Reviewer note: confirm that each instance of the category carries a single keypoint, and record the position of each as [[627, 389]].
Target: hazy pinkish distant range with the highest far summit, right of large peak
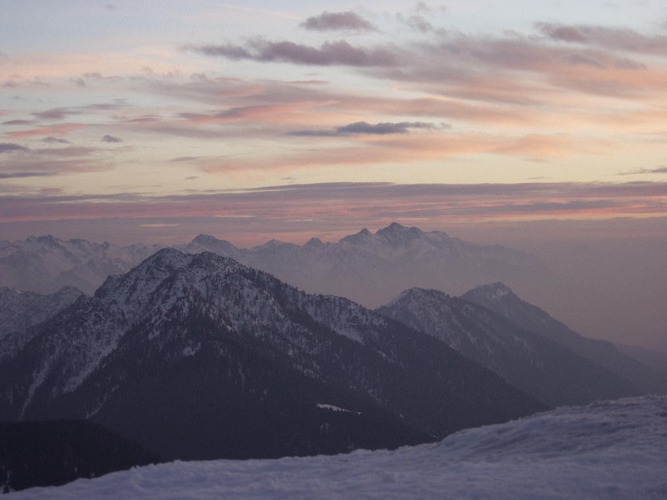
[[373, 268]]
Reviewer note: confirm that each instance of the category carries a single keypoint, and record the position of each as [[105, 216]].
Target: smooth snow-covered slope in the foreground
[[607, 450]]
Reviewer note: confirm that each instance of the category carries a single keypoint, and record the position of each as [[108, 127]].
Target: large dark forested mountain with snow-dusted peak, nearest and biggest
[[198, 356]]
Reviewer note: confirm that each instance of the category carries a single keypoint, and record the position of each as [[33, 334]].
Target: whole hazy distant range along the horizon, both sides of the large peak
[[368, 268]]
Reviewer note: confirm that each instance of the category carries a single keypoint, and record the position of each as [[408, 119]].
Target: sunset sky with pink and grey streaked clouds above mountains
[[541, 125]]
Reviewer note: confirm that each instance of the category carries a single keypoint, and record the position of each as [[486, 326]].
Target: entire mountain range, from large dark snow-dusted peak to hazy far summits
[[199, 352]]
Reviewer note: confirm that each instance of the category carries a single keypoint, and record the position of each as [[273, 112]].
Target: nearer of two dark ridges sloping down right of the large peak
[[542, 368]]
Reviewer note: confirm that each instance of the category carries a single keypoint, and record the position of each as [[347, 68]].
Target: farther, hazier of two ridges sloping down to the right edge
[[501, 299]]
